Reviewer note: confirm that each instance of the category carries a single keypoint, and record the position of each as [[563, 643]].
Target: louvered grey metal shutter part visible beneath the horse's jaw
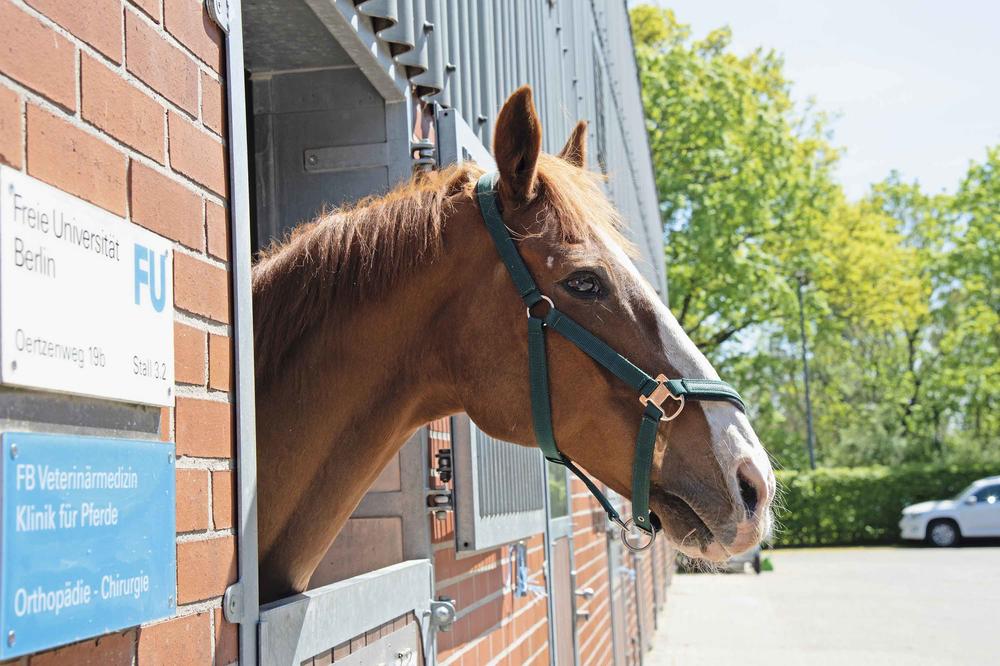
[[499, 489]]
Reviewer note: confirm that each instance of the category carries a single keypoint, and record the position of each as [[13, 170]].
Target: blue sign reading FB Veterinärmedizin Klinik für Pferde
[[88, 538]]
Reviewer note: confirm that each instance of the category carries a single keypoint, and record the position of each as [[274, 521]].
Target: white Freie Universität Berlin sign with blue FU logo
[[86, 298]]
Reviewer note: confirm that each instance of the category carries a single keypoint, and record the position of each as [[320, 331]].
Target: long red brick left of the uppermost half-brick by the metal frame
[[165, 68]]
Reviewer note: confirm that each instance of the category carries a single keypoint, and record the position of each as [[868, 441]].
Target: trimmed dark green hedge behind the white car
[[860, 505]]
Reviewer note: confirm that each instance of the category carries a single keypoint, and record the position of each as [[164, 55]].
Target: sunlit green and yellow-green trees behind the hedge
[[901, 290]]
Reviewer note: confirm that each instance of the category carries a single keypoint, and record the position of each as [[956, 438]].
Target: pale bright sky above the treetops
[[914, 84]]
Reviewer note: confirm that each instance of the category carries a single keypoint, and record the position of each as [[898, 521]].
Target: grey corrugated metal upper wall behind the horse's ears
[[471, 54]]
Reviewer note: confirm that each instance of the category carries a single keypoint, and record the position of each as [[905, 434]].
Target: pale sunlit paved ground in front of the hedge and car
[[845, 606]]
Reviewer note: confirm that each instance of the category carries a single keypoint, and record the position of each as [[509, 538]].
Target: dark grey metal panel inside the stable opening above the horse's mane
[[307, 125]]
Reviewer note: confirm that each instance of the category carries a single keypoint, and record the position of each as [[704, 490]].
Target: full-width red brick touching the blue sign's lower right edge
[[204, 569]]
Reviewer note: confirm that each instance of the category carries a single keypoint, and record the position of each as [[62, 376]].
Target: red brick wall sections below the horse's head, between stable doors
[[496, 627]]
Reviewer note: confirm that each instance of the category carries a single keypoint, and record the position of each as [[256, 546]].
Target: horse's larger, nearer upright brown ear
[[517, 141]]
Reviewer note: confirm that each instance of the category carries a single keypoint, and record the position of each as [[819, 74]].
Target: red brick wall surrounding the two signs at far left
[[121, 103]]
